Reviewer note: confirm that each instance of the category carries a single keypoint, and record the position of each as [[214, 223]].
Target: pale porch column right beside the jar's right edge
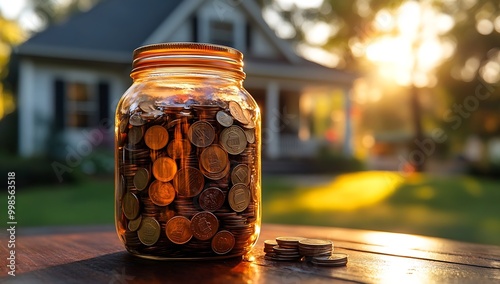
[[271, 129]]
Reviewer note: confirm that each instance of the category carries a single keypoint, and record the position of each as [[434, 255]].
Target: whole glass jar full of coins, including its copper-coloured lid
[[187, 155]]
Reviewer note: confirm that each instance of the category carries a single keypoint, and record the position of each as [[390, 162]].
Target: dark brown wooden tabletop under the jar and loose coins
[[95, 255]]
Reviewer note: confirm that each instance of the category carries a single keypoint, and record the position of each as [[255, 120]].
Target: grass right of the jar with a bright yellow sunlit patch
[[462, 208]]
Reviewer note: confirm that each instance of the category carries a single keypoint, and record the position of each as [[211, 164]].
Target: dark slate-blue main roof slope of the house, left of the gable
[[110, 31]]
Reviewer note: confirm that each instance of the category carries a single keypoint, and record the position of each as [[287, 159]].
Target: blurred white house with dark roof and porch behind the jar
[[72, 75]]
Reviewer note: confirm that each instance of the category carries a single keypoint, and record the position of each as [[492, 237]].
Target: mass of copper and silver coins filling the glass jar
[[188, 179]]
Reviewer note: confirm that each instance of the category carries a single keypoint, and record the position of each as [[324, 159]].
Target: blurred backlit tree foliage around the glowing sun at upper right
[[346, 33]]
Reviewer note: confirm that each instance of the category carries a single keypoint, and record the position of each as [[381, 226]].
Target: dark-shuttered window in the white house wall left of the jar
[[80, 104]]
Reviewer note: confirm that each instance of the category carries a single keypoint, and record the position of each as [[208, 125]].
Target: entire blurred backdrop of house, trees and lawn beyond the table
[[377, 114]]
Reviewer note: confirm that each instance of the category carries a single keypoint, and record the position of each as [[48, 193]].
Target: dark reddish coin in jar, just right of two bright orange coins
[[188, 182]]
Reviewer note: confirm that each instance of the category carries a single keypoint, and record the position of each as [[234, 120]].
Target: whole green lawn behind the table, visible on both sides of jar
[[456, 207]]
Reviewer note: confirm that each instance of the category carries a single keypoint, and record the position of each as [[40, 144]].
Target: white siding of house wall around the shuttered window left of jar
[[36, 101]]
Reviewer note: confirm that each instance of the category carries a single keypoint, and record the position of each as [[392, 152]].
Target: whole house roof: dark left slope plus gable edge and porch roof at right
[[112, 29]]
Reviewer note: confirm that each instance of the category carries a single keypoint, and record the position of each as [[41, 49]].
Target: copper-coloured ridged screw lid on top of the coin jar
[[188, 54]]
